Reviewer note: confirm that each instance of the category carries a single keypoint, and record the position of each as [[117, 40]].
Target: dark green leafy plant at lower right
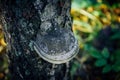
[[103, 57]]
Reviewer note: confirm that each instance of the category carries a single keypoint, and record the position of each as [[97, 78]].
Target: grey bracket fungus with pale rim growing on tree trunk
[[57, 46]]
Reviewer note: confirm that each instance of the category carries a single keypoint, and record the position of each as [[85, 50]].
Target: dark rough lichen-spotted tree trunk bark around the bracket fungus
[[22, 19]]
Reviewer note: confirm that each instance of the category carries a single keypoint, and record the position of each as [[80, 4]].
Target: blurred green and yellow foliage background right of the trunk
[[96, 25]]
